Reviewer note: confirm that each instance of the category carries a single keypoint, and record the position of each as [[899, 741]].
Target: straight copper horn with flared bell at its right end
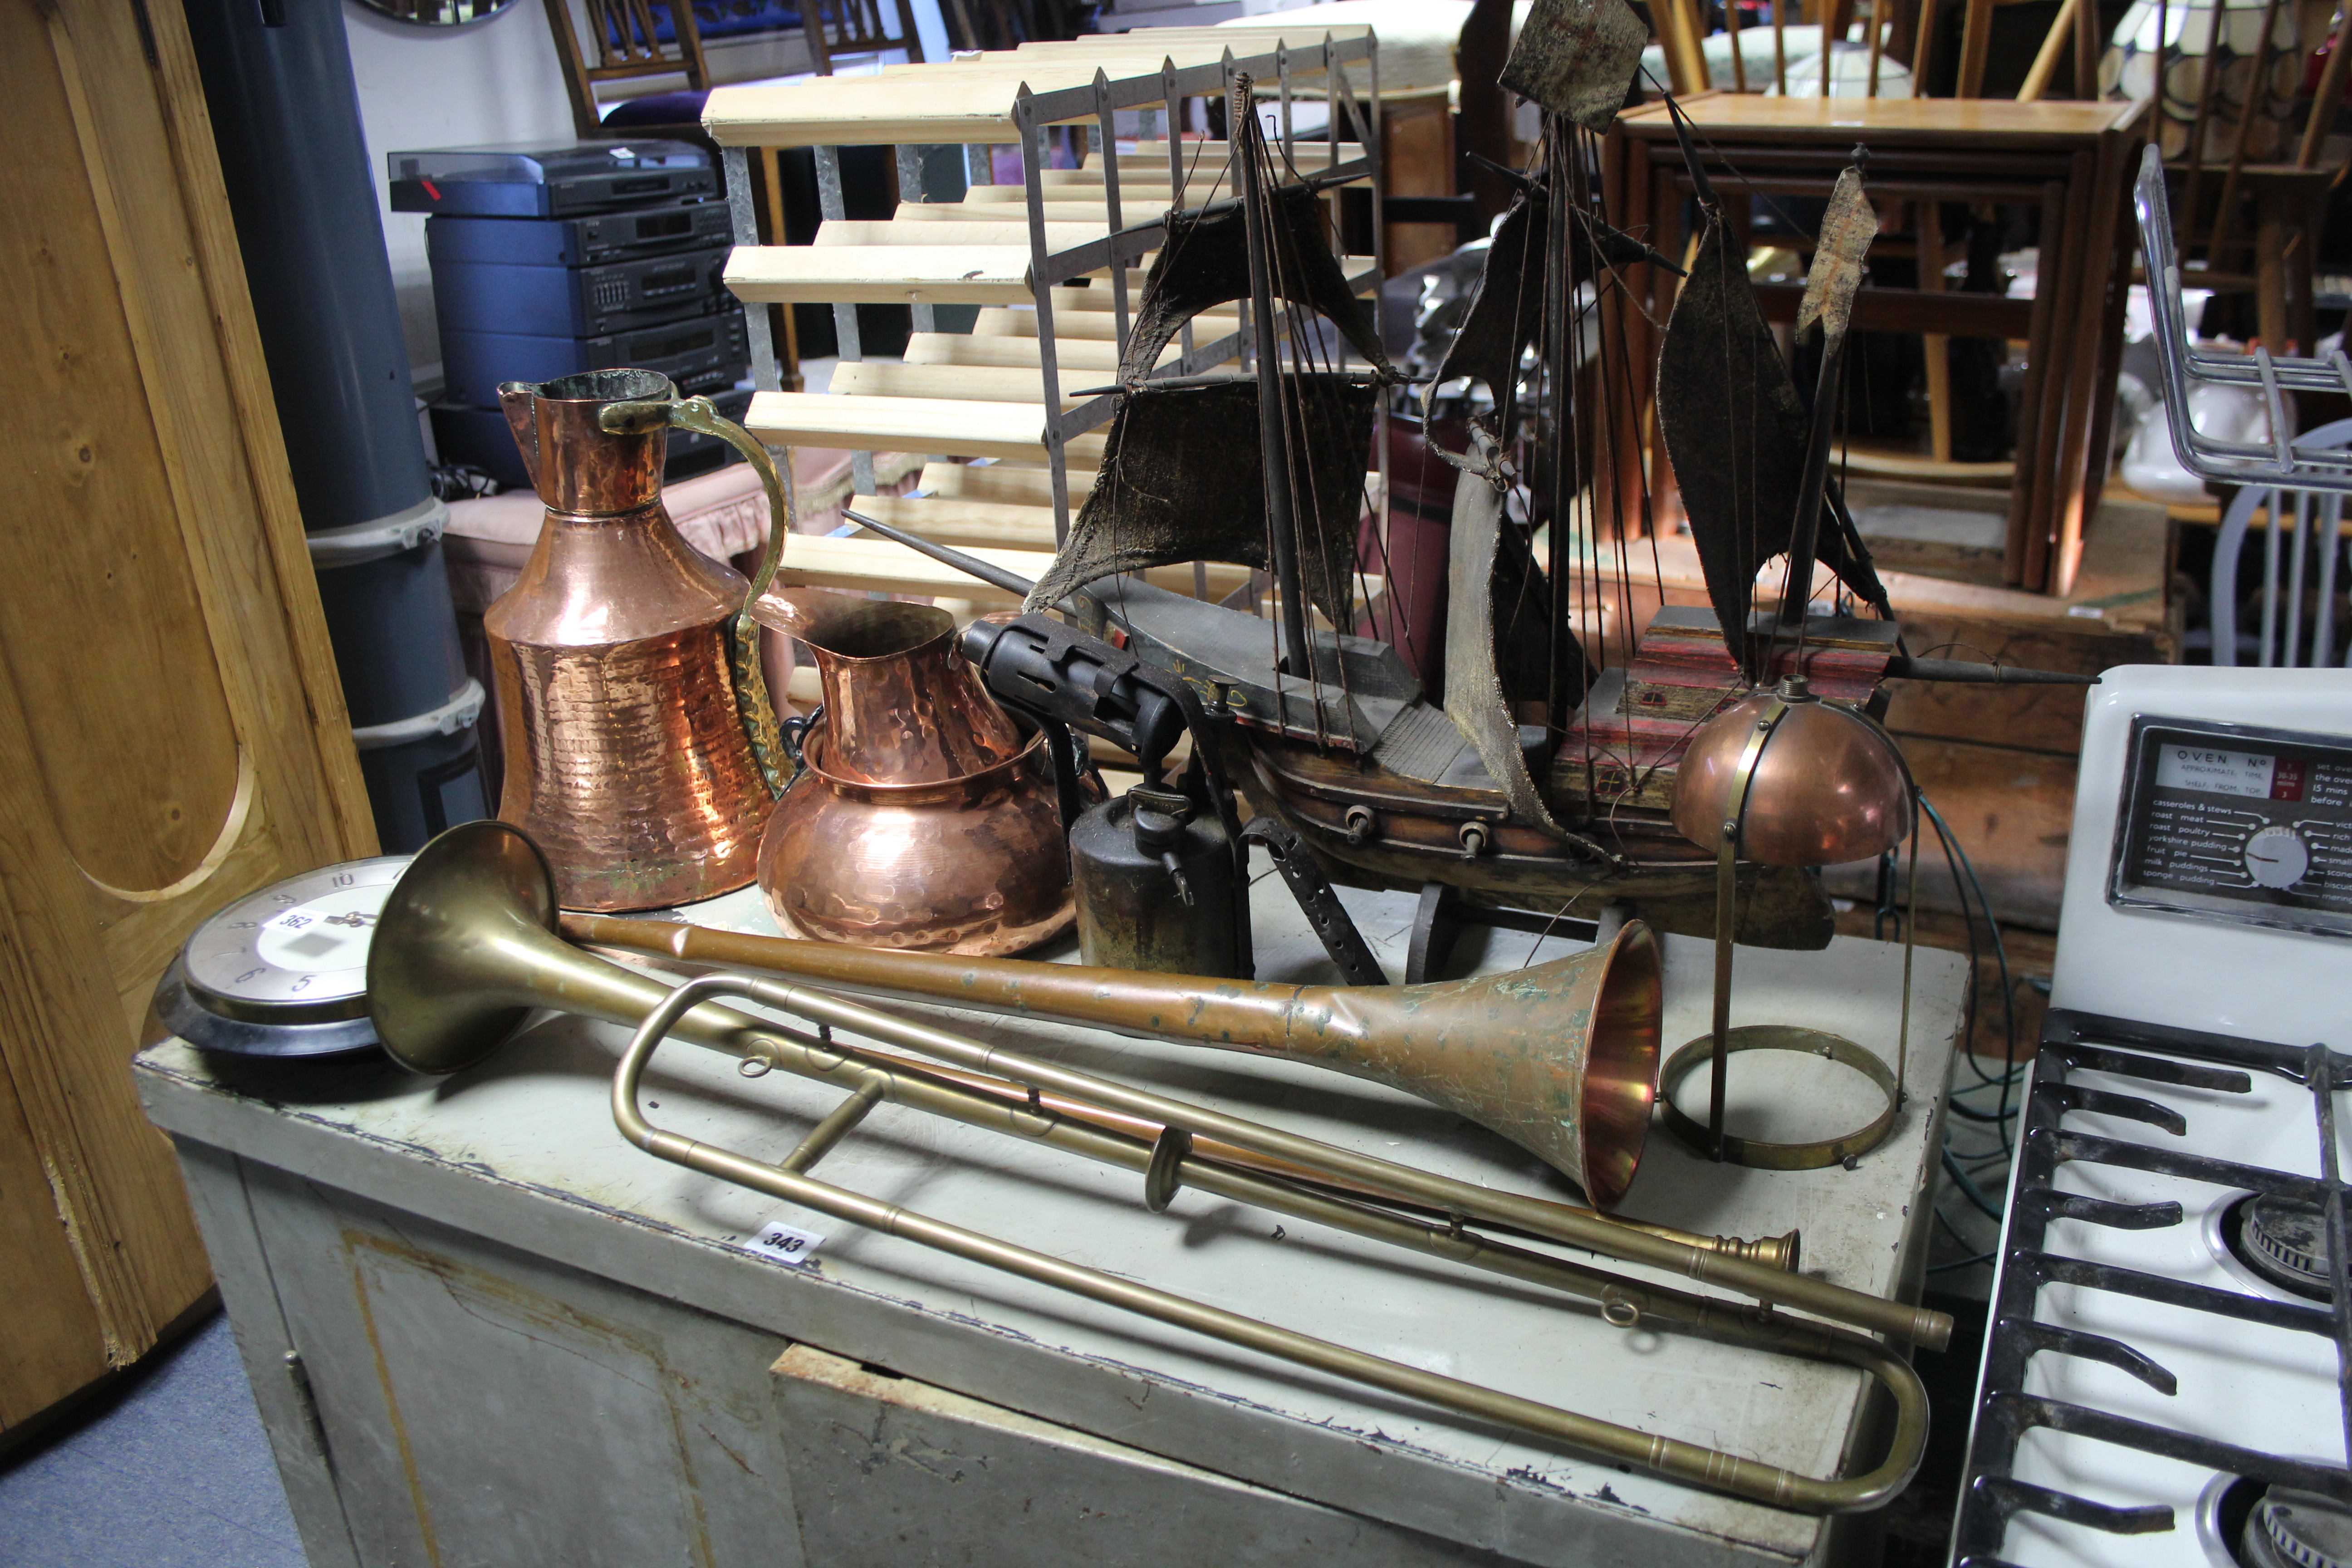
[[1563, 1059]]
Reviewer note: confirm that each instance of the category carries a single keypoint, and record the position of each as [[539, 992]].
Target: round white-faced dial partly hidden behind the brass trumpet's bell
[[283, 972]]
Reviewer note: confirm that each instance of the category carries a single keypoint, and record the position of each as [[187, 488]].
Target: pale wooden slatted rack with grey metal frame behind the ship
[[1055, 264]]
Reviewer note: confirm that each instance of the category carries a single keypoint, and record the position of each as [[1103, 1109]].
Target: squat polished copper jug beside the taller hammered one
[[923, 815]]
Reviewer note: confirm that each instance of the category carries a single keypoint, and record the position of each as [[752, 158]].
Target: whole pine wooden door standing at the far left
[[173, 732]]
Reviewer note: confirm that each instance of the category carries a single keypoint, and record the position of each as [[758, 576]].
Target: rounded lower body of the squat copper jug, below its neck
[[973, 866]]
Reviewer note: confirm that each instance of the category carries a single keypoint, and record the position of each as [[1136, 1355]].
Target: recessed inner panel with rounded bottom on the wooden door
[[79, 542]]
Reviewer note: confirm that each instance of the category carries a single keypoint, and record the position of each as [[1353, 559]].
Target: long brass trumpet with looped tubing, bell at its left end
[[467, 949]]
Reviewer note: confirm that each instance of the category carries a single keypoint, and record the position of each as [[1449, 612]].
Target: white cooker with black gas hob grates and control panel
[[2167, 1358]]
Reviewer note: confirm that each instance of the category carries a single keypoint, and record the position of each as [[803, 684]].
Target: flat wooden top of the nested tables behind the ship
[[1979, 123]]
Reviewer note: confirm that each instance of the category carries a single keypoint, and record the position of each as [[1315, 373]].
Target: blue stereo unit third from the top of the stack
[[580, 302]]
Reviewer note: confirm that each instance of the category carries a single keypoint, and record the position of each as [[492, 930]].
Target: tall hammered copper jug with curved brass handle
[[632, 735]]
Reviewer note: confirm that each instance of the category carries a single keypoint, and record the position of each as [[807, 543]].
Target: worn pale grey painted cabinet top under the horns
[[523, 1148]]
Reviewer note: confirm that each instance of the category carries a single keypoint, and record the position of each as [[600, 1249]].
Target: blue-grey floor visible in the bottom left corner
[[168, 1470]]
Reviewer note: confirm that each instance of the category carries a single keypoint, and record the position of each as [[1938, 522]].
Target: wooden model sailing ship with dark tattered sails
[[1542, 779]]
